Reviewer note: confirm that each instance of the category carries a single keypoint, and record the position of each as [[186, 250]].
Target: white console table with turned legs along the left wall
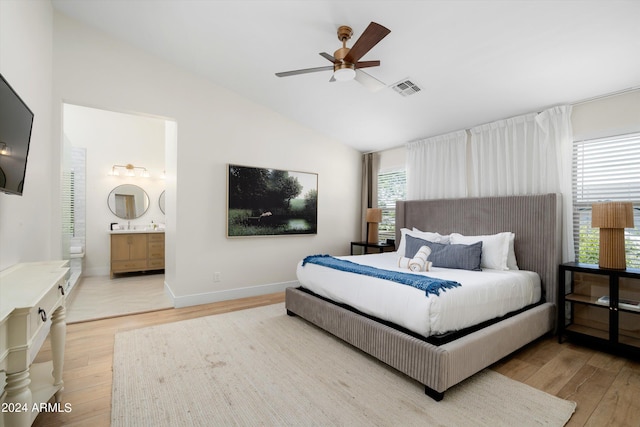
[[31, 307]]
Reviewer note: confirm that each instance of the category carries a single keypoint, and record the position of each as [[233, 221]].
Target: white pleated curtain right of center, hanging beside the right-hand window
[[529, 154]]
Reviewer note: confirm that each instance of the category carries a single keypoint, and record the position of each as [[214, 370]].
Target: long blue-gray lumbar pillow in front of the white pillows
[[464, 257]]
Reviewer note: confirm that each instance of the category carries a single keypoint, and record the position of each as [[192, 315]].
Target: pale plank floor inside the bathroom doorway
[[99, 297]]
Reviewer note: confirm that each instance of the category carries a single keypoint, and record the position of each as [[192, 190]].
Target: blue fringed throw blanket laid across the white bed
[[430, 285]]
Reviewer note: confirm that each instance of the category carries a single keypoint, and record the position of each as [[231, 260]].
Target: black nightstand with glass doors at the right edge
[[600, 307]]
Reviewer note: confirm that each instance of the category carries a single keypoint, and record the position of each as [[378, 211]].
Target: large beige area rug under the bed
[[262, 367]]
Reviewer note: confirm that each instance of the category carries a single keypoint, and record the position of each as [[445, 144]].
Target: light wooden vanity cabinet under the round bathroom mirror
[[136, 252]]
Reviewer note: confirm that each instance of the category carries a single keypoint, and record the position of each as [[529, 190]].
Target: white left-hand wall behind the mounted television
[[26, 222]]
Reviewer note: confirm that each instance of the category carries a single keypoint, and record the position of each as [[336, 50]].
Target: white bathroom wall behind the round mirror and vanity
[[112, 138]]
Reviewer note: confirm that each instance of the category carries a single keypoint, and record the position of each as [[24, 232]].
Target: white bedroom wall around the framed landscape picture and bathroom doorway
[[214, 127]]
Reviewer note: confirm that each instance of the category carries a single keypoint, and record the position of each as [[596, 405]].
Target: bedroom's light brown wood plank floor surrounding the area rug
[[605, 387]]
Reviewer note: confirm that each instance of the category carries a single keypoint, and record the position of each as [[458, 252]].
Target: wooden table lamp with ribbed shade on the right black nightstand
[[612, 218]]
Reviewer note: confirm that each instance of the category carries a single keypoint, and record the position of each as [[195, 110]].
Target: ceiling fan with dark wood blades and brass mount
[[346, 65]]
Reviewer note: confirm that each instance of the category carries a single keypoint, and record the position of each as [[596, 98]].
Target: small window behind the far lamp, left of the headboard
[[392, 186]]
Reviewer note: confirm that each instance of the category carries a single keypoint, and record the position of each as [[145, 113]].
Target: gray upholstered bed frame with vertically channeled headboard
[[536, 221]]
